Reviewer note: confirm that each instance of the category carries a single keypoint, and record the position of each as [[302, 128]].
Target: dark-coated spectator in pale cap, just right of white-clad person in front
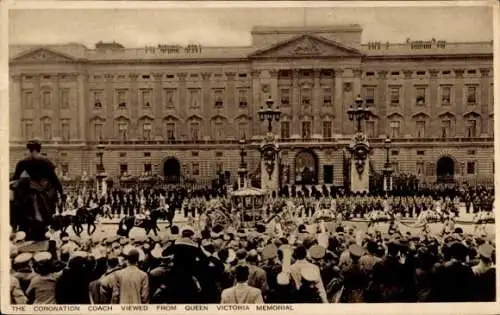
[[355, 277]]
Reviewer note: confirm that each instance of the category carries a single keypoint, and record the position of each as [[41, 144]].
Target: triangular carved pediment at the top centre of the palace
[[307, 46]]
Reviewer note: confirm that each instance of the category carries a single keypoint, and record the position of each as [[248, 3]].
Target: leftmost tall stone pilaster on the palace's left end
[[15, 109]]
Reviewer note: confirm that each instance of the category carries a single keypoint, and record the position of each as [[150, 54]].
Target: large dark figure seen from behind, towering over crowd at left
[[35, 186]]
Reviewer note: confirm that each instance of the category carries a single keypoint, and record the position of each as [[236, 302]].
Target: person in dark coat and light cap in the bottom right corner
[[485, 275]]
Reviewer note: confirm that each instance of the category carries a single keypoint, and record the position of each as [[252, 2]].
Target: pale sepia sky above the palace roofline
[[232, 26]]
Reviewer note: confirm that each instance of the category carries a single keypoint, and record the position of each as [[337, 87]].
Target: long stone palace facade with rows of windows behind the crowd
[[181, 110]]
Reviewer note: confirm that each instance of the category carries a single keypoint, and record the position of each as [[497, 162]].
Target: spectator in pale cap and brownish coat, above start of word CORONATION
[[42, 288]]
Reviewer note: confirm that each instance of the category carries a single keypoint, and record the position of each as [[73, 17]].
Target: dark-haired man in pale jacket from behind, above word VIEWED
[[130, 285]]
